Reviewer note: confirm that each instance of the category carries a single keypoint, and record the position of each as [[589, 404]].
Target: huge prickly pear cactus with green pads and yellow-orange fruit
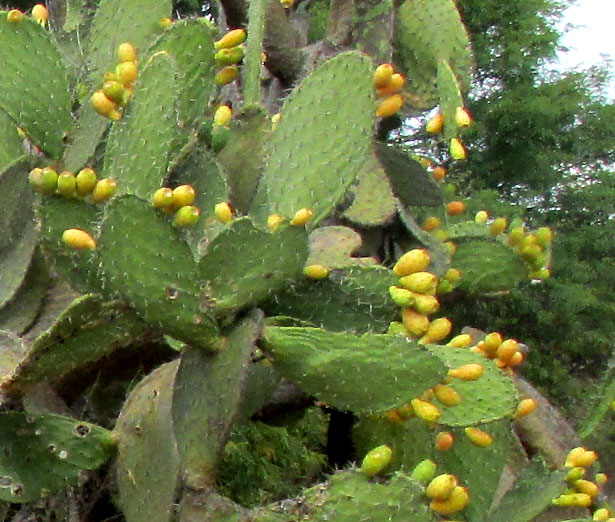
[[183, 218]]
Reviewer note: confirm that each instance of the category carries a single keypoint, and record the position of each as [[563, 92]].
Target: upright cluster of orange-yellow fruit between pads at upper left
[[119, 85]]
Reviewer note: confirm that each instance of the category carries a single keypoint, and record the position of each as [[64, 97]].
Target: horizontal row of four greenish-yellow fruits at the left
[[83, 185]]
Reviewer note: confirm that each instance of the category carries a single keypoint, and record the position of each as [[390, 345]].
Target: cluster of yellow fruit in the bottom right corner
[[582, 492]]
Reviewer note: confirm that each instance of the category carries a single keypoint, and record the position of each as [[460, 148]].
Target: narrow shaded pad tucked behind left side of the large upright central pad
[[243, 156]]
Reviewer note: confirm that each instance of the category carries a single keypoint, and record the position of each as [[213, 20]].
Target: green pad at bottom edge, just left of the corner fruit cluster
[[536, 486]]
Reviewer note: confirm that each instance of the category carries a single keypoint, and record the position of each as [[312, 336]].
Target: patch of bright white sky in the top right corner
[[592, 37]]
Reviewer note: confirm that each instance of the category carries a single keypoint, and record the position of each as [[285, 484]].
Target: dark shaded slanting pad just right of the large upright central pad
[[411, 183]]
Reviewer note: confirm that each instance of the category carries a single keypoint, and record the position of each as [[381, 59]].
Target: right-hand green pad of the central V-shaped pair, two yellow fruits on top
[[243, 264]]
